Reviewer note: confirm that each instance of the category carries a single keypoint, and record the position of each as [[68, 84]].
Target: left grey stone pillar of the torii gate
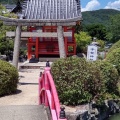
[[17, 46]]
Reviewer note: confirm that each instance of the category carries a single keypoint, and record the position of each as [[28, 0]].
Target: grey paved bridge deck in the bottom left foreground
[[23, 112]]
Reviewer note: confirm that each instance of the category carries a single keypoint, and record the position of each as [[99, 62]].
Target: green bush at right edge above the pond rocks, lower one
[[110, 79]]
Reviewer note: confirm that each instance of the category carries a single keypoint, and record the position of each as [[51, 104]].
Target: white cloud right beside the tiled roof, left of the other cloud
[[92, 5]]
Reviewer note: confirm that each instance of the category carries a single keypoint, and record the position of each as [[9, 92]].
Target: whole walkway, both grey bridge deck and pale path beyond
[[24, 104]]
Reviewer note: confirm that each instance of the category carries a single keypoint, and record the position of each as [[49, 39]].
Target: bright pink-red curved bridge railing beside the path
[[48, 94]]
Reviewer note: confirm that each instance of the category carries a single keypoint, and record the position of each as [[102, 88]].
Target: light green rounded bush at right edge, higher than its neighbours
[[114, 58]]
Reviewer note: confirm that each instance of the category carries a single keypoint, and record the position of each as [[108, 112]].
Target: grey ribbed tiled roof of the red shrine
[[51, 9]]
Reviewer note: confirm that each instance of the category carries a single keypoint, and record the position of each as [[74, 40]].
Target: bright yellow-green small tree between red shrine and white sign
[[82, 39]]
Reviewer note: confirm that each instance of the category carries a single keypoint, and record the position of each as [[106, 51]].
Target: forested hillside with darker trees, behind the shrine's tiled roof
[[103, 24]]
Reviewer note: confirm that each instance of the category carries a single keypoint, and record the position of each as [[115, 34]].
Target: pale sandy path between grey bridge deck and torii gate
[[27, 92]]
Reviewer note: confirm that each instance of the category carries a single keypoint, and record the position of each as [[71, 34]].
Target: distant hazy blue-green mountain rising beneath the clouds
[[101, 16]]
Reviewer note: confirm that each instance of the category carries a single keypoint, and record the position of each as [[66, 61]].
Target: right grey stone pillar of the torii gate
[[61, 42]]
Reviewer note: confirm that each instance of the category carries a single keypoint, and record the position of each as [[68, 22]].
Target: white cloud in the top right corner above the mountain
[[113, 5]]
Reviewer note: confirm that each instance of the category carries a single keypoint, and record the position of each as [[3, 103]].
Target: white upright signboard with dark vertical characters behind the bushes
[[92, 53]]
